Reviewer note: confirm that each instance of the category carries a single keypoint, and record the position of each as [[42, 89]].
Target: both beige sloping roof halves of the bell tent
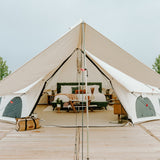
[[52, 57]]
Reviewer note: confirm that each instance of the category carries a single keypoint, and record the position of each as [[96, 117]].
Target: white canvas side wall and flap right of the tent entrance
[[128, 90]]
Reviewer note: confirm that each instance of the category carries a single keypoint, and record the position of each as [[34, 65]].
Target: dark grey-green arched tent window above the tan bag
[[13, 108]]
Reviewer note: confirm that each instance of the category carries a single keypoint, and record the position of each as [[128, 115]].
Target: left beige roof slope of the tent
[[45, 62]]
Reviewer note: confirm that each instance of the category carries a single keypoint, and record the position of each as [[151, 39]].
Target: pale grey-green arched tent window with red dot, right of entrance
[[144, 107]]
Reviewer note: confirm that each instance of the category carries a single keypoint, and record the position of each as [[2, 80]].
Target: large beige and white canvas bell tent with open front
[[135, 84]]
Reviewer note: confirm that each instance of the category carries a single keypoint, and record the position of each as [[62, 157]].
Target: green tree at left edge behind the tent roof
[[4, 72]]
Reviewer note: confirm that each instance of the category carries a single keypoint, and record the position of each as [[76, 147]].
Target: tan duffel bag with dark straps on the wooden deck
[[27, 123]]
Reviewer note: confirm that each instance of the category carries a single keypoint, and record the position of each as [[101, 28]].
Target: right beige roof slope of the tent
[[110, 53]]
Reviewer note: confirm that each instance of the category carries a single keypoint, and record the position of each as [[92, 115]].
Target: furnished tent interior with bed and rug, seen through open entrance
[[66, 86]]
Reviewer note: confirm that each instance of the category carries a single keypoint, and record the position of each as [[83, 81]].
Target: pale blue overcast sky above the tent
[[27, 27]]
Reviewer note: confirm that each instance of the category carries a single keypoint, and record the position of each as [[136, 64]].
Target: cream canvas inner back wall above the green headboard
[[68, 73]]
